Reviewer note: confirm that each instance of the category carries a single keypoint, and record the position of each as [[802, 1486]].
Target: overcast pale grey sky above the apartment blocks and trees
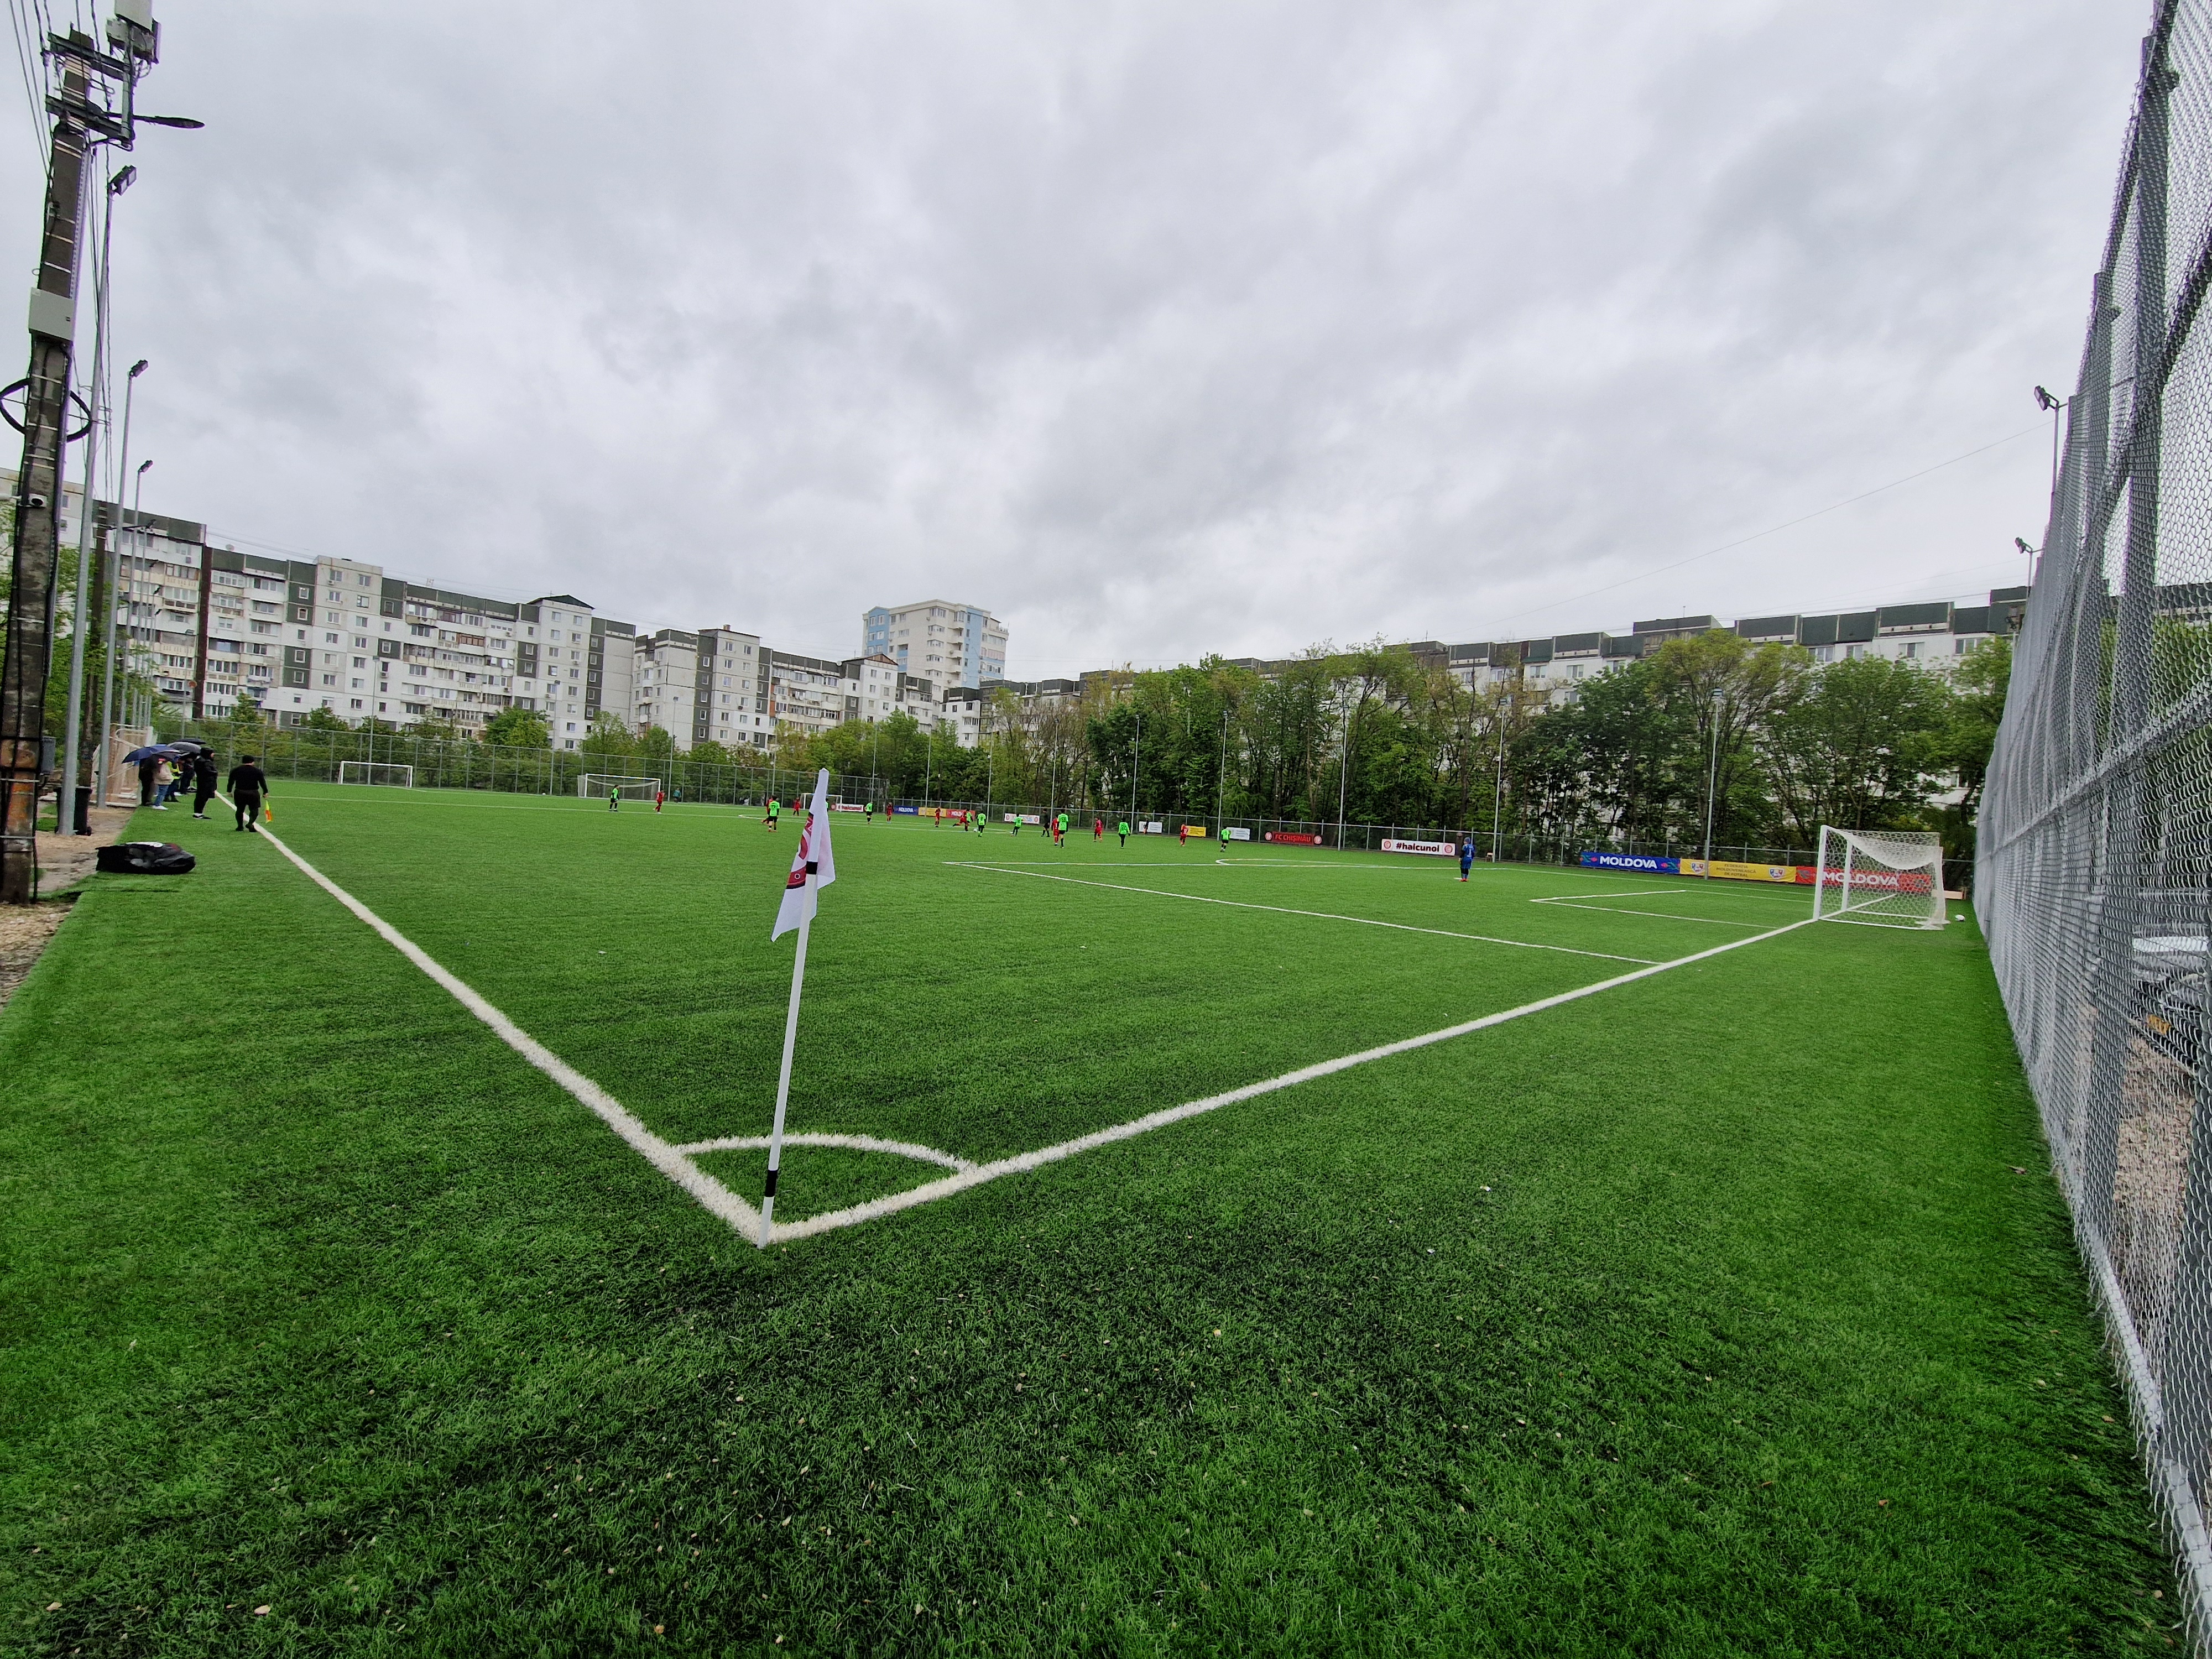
[[1156, 328]]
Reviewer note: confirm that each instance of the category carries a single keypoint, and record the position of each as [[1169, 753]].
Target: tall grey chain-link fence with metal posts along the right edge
[[2096, 833]]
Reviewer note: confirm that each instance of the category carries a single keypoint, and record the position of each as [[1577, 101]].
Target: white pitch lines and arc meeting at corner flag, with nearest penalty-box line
[[676, 1162]]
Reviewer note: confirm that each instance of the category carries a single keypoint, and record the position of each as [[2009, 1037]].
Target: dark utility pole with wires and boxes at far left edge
[[79, 125]]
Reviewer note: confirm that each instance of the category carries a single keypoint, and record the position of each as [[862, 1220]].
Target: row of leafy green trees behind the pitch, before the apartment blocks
[[1762, 735]]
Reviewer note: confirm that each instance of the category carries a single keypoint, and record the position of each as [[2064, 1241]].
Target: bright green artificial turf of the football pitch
[[1700, 1317]]
